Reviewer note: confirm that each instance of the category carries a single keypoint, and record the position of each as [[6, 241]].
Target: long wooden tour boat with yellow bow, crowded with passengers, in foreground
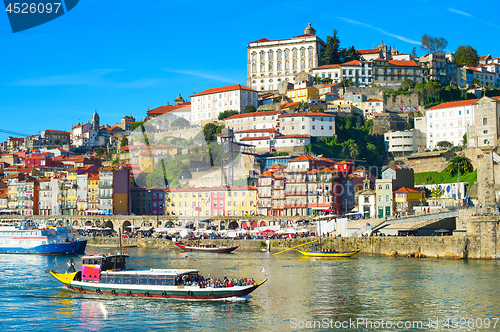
[[107, 274]]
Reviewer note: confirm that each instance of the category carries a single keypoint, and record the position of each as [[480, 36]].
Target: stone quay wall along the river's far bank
[[481, 240]]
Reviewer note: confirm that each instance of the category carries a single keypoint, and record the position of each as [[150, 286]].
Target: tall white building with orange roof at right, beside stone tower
[[449, 122]]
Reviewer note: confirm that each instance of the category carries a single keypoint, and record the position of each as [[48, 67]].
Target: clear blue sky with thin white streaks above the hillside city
[[121, 57]]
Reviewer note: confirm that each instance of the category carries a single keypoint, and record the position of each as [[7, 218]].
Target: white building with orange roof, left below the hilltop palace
[[206, 105]]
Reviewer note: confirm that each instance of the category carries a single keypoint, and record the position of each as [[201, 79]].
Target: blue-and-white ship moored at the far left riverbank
[[19, 237]]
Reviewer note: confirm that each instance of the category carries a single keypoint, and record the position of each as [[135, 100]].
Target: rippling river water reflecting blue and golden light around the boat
[[300, 291]]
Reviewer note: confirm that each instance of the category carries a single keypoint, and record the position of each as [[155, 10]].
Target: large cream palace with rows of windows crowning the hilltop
[[273, 61]]
